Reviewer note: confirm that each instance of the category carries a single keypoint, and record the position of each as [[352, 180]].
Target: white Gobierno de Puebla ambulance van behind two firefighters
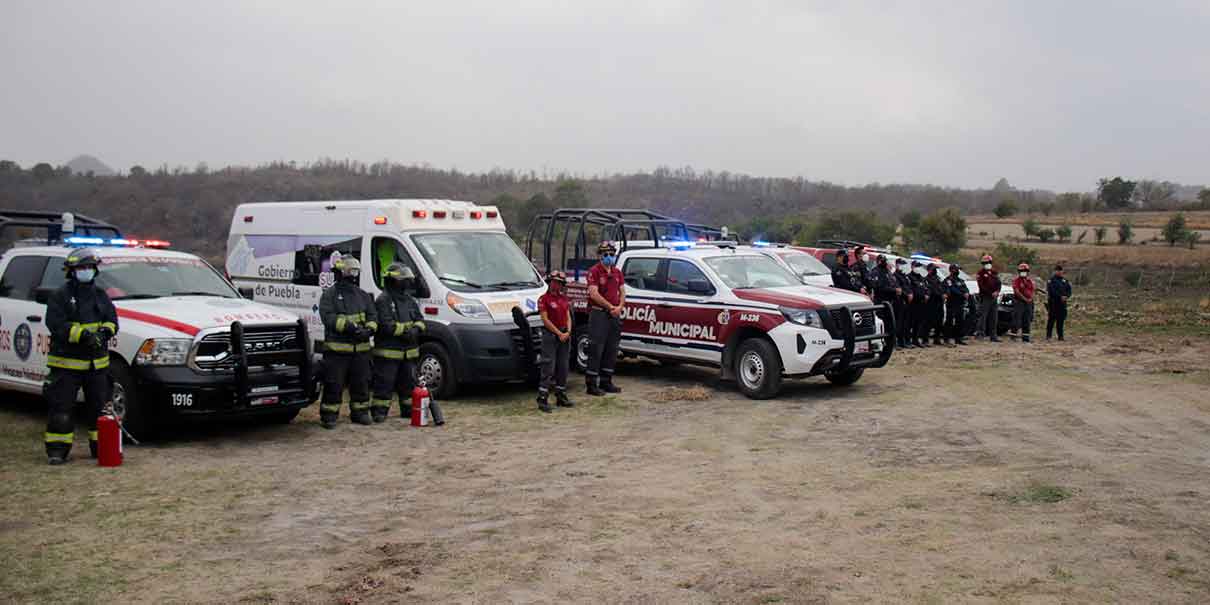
[[470, 275]]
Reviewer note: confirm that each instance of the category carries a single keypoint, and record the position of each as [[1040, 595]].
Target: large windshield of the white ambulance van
[[477, 261]]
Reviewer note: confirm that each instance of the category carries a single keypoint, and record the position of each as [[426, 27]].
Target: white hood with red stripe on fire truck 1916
[[177, 316]]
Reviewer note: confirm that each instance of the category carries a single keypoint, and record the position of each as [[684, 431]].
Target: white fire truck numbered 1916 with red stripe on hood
[[188, 345]]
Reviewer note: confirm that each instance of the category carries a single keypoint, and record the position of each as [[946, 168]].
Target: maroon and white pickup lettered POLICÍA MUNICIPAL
[[721, 306]]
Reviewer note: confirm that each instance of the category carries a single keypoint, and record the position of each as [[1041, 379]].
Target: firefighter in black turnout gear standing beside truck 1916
[[82, 320]]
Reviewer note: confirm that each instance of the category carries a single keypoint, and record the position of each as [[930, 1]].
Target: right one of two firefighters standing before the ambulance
[[397, 344]]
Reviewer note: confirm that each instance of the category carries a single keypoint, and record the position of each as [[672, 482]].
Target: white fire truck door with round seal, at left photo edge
[[25, 341]]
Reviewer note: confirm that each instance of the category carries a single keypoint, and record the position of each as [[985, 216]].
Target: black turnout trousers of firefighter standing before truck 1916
[[60, 390]]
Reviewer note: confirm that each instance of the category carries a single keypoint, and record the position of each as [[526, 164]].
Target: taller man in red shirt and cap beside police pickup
[[607, 298]]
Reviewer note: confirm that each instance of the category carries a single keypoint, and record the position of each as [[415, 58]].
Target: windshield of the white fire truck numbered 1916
[[147, 278]]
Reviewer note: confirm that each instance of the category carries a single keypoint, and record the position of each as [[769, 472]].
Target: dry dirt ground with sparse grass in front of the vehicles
[[1048, 474]]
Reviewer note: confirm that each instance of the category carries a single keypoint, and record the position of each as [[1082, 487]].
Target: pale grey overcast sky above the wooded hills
[[1048, 95]]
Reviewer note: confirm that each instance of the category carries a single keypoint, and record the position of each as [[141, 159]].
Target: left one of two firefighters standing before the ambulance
[[349, 324]]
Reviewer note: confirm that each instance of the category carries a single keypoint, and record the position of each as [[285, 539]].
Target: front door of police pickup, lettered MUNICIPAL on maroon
[[690, 320]]
